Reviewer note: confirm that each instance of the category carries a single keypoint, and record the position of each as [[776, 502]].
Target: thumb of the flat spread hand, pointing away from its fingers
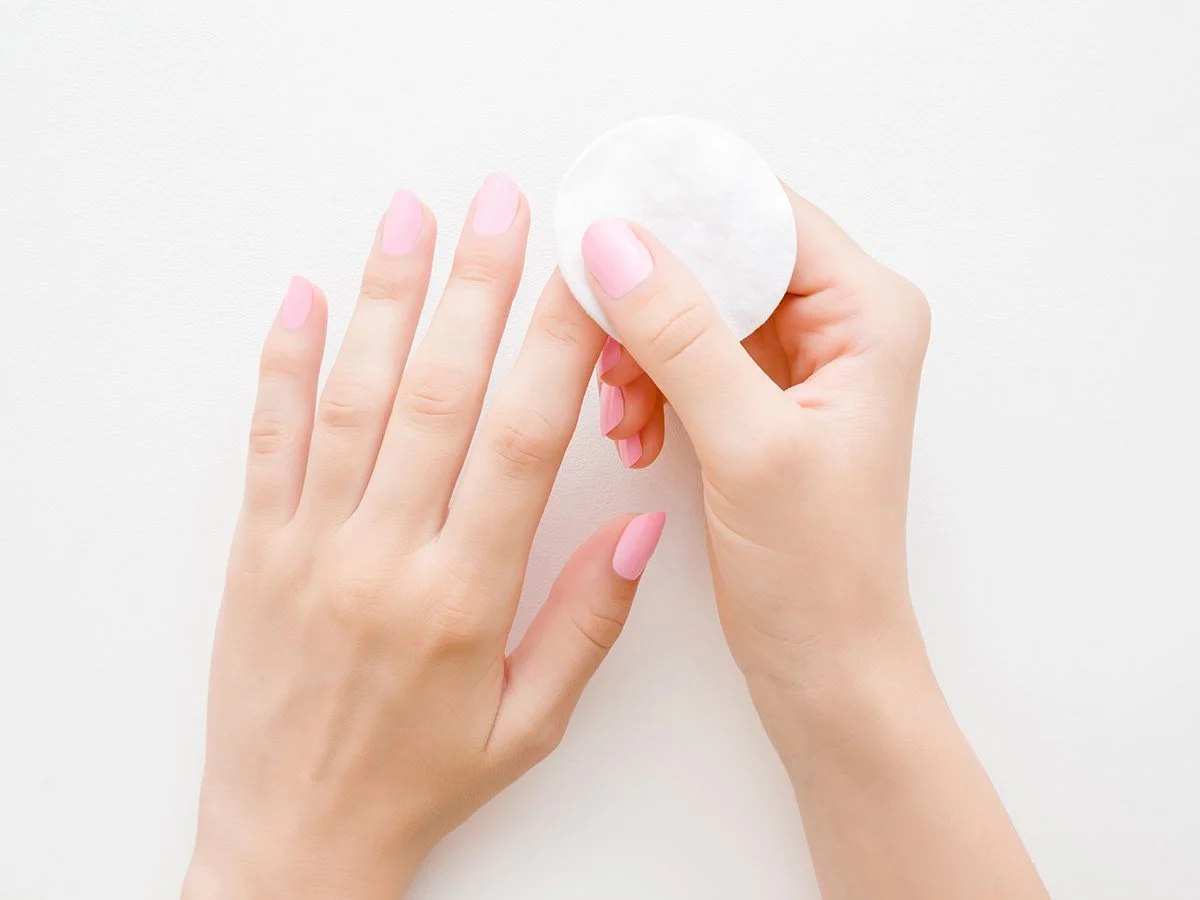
[[572, 635]]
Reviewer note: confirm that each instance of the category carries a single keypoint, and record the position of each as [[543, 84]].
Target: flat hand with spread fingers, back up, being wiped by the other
[[362, 704]]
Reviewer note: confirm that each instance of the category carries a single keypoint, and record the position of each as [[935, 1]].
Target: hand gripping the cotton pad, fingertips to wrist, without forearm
[[805, 442]]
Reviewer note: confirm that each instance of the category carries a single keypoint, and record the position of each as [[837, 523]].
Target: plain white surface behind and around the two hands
[[166, 167]]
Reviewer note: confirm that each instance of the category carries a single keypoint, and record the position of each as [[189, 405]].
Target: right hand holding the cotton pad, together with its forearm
[[805, 447]]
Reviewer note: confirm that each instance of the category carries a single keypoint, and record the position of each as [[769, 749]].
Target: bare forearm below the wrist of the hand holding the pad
[[896, 805]]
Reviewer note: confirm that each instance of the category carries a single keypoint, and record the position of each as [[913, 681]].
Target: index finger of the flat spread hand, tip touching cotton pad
[[508, 481]]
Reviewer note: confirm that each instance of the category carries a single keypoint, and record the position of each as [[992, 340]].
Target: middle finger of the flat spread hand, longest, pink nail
[[443, 388]]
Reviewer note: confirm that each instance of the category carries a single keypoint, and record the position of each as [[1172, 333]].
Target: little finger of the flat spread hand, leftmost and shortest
[[283, 422]]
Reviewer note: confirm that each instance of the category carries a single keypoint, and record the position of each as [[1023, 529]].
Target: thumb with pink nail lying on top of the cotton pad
[[667, 321]]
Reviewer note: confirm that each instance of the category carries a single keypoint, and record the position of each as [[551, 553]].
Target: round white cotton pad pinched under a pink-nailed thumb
[[700, 190]]
